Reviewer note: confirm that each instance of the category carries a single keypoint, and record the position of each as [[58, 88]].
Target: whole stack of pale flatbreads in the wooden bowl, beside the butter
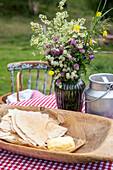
[[29, 128]]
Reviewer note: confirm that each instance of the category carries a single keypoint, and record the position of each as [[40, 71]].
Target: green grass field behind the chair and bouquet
[[15, 46]]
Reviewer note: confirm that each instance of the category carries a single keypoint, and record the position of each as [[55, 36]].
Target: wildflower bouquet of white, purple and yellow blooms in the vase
[[68, 46]]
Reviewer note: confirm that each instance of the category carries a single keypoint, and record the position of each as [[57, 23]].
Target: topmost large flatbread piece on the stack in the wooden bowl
[[35, 129]]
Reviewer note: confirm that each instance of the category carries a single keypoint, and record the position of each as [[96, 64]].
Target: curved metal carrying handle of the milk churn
[[110, 87]]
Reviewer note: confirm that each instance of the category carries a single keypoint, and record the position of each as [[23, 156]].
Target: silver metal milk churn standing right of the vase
[[99, 95]]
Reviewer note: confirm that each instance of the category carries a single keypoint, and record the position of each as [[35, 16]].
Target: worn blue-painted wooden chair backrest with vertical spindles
[[38, 65]]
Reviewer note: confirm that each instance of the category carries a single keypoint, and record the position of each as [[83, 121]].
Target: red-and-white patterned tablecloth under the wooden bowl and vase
[[12, 161]]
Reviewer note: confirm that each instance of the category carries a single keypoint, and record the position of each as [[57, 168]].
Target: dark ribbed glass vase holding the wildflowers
[[69, 97]]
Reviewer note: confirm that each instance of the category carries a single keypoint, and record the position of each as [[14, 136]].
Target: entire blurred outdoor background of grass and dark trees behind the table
[[15, 34]]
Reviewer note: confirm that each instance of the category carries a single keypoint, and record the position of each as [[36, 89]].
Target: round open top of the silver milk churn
[[101, 78]]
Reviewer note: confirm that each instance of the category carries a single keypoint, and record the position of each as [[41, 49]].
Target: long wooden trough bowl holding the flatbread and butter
[[99, 139]]
